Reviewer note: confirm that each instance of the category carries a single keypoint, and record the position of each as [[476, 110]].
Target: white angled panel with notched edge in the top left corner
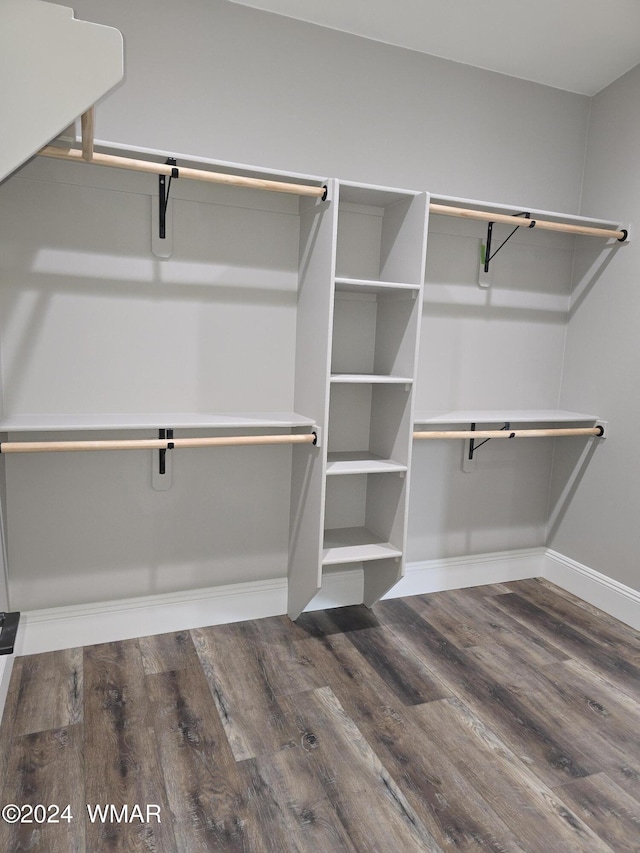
[[54, 69]]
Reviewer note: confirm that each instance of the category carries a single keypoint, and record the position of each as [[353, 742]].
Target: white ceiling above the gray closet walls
[[576, 45]]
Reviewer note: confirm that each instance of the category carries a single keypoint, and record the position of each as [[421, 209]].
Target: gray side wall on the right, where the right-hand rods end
[[596, 506]]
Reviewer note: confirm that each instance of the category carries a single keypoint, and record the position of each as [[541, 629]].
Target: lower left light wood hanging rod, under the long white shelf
[[154, 443]]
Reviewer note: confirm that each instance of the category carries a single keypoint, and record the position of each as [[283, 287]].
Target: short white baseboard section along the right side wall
[[620, 601]]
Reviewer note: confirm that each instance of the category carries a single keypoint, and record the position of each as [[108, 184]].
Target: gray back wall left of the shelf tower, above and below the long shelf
[[94, 323]]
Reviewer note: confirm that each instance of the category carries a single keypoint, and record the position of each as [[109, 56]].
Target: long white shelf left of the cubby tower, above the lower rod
[[154, 420]]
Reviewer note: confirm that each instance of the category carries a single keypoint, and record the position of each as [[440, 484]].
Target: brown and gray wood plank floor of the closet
[[500, 718]]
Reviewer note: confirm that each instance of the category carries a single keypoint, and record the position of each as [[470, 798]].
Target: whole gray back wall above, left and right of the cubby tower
[[219, 80]]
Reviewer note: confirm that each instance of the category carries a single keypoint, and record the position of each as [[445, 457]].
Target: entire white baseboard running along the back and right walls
[[81, 625]]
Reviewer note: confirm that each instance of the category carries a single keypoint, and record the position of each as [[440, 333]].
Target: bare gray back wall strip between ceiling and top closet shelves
[[214, 79]]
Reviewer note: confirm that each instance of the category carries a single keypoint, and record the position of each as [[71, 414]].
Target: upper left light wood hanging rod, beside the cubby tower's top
[[129, 163]]
